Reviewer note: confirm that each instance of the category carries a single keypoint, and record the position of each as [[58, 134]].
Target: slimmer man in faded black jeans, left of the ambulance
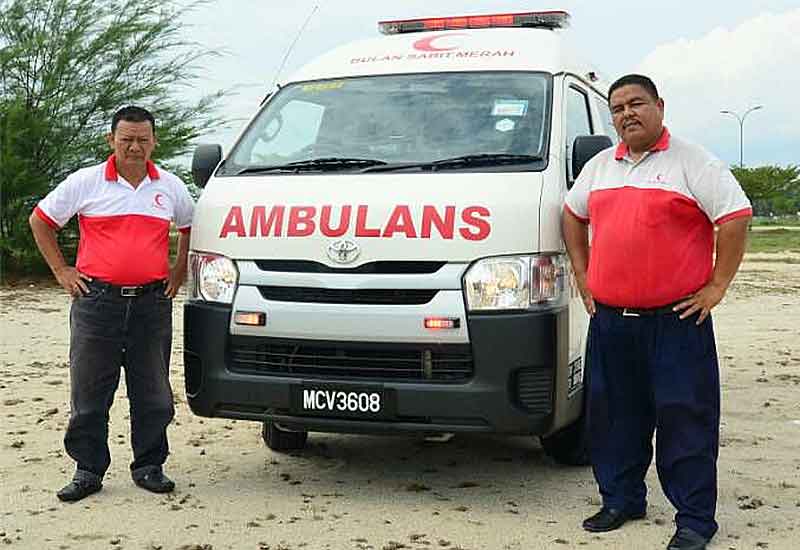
[[122, 288]]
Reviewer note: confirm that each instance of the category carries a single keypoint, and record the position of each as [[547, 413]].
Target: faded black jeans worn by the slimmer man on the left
[[109, 331]]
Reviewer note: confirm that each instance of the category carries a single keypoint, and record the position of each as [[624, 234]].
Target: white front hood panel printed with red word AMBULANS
[[345, 220]]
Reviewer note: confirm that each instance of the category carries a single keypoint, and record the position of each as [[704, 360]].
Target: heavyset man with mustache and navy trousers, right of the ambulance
[[650, 283]]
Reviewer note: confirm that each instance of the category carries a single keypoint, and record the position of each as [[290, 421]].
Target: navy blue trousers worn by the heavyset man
[[657, 373]]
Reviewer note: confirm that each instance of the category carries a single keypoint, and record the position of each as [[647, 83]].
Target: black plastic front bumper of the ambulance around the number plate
[[511, 387]]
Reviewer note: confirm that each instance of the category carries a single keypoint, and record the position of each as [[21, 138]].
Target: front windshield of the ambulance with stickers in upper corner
[[398, 119]]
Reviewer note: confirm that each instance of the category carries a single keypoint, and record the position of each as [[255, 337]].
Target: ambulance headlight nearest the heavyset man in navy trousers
[[516, 282]]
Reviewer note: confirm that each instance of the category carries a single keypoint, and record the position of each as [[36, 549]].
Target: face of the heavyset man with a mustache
[[638, 116]]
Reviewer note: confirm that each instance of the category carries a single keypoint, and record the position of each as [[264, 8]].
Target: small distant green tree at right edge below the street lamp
[[771, 189]]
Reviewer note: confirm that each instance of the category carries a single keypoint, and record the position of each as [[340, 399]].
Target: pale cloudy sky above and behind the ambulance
[[705, 56]]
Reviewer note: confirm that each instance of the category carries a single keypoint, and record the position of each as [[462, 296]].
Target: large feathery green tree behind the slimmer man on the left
[[65, 67]]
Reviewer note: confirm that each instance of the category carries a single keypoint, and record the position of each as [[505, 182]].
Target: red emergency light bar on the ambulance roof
[[535, 19]]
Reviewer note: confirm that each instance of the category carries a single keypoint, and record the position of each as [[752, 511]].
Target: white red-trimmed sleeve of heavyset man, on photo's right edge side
[[718, 193]]
